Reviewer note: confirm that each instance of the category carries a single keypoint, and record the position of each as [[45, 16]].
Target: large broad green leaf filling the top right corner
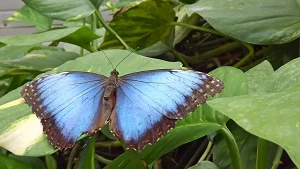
[[269, 21]]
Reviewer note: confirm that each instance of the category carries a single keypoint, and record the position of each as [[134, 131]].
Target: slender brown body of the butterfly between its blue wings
[[111, 85]]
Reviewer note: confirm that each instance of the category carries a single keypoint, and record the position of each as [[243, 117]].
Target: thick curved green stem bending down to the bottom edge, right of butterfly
[[233, 149]]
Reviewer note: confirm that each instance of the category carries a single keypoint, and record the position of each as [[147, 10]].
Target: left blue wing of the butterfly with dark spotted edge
[[68, 103]]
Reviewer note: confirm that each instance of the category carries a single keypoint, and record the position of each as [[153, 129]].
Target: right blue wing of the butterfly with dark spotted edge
[[149, 103]]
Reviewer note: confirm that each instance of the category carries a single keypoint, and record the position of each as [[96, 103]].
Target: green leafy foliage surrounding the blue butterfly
[[250, 121]]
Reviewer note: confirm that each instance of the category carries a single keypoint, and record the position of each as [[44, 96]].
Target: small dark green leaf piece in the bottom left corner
[[9, 163]]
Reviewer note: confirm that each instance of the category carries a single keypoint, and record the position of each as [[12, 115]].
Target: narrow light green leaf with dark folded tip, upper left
[[80, 36]]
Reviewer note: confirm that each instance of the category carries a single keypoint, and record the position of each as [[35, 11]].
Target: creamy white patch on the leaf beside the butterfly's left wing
[[22, 134]]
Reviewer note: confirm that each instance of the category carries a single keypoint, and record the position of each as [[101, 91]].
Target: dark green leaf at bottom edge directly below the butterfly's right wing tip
[[128, 160]]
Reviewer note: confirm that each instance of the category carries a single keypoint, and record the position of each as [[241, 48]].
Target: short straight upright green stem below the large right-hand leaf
[[262, 153]]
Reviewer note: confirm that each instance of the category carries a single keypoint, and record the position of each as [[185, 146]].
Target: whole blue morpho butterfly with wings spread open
[[140, 107]]
